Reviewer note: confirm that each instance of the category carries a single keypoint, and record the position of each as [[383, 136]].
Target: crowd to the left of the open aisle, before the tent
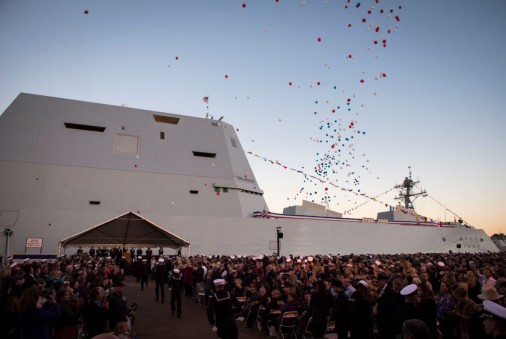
[[58, 298]]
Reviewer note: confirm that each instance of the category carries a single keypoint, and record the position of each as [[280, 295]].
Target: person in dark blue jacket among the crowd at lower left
[[36, 319]]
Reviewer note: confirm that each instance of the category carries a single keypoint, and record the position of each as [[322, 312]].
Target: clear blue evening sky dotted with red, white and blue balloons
[[331, 100]]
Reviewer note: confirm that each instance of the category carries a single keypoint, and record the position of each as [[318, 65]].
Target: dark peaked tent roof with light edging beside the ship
[[127, 229]]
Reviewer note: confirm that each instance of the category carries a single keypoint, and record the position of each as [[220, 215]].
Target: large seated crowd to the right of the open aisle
[[365, 296]]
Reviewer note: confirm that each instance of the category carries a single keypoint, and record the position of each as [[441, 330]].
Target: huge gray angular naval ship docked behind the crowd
[[67, 166]]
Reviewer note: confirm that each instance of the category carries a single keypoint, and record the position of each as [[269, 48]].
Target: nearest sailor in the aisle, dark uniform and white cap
[[220, 312]]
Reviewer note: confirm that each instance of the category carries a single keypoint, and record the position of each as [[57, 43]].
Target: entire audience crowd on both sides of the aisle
[[449, 295]]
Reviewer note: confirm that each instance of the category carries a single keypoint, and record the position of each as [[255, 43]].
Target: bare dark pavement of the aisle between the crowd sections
[[153, 319]]
